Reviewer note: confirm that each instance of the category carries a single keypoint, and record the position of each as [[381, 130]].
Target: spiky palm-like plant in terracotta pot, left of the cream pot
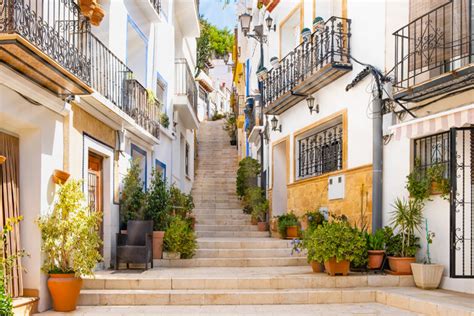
[[401, 248]]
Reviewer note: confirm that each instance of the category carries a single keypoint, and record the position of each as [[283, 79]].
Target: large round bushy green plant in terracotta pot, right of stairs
[[336, 244]]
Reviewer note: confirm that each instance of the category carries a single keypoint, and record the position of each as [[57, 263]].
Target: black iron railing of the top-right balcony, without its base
[[435, 43]]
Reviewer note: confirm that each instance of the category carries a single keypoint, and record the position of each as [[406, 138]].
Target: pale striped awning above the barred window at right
[[434, 123]]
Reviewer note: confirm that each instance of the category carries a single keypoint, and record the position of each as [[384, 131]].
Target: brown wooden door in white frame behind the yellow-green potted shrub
[[95, 190]]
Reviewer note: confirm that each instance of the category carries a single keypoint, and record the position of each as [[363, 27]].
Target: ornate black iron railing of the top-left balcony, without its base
[[56, 27]]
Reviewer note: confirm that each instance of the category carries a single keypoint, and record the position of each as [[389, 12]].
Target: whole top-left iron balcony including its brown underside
[[47, 41]]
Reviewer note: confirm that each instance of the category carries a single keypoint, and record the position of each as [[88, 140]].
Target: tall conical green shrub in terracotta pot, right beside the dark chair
[[156, 208]]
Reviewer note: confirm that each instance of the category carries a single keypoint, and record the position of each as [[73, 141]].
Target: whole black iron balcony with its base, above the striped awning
[[434, 54]]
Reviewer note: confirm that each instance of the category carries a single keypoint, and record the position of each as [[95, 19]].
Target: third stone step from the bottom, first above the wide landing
[[232, 262]]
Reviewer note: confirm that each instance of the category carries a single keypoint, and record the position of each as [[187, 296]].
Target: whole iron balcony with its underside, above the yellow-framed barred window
[[311, 66]]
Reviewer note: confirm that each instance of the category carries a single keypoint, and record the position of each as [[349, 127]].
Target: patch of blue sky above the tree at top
[[219, 13]]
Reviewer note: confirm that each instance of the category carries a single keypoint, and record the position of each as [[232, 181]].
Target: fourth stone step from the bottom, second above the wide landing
[[245, 253]]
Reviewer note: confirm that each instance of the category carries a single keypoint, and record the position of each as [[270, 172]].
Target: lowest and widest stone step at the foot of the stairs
[[226, 297]]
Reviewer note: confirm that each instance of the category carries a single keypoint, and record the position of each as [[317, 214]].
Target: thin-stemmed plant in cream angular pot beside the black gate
[[427, 275]]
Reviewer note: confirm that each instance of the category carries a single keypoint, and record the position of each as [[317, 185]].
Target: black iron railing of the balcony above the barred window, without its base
[[330, 45]]
